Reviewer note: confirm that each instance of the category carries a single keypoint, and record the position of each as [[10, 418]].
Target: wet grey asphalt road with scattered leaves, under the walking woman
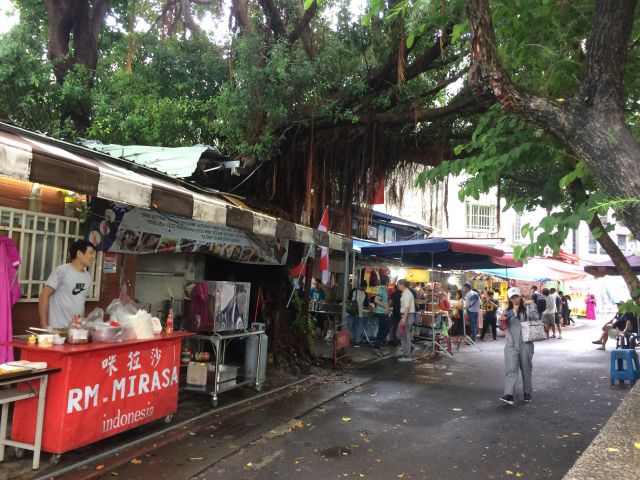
[[425, 420]]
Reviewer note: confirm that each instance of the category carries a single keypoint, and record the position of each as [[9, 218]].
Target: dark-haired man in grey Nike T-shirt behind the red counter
[[65, 291]]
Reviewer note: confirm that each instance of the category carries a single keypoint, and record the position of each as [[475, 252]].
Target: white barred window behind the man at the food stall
[[43, 241]]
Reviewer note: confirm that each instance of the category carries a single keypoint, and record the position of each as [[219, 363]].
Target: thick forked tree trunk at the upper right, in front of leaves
[[592, 122]]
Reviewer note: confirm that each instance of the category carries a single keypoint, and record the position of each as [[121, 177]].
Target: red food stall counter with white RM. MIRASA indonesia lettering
[[102, 389]]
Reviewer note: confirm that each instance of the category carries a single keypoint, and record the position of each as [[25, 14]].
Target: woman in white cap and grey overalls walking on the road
[[518, 355]]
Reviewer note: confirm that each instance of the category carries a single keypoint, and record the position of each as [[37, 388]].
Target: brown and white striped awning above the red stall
[[36, 158]]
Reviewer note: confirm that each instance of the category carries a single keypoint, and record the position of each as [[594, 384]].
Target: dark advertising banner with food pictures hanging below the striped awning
[[120, 228]]
